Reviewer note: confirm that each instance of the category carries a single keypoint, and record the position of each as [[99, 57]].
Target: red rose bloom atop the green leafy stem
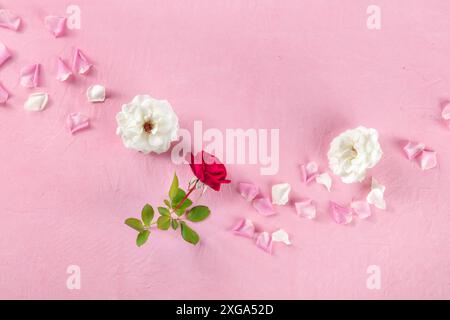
[[209, 170]]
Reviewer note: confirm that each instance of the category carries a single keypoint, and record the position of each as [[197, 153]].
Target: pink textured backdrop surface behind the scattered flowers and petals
[[310, 68]]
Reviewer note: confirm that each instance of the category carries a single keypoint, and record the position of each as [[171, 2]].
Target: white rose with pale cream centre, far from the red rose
[[353, 152]]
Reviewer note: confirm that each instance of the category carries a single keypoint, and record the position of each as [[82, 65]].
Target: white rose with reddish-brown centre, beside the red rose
[[147, 125]]
